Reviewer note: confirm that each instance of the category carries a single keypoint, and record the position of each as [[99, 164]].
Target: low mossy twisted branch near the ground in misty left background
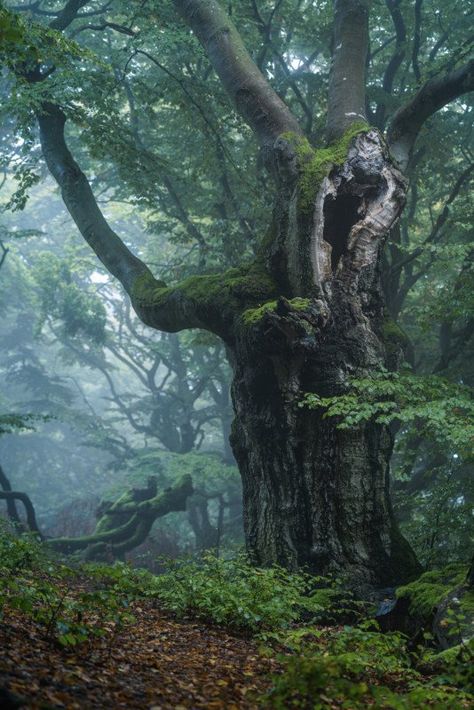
[[121, 526]]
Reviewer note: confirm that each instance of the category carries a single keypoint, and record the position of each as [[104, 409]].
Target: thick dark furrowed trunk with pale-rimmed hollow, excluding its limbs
[[316, 495]]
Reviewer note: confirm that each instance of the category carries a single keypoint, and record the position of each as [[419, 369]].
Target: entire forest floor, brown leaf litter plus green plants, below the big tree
[[211, 633]]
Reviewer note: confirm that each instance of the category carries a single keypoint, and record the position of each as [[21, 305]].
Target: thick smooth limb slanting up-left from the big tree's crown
[[255, 100]]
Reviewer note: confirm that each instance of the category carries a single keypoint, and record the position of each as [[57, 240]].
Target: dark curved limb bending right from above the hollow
[[433, 95]]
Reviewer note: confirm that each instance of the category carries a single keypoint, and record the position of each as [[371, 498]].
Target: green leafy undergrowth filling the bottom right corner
[[358, 667]]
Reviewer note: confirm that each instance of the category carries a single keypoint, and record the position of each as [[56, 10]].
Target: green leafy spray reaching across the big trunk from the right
[[440, 409]]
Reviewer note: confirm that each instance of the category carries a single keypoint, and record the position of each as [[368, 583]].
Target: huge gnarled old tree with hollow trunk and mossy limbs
[[308, 311]]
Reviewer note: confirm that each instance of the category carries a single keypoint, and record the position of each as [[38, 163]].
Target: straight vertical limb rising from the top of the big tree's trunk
[[347, 79]]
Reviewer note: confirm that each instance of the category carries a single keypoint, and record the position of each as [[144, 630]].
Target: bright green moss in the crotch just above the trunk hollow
[[316, 164]]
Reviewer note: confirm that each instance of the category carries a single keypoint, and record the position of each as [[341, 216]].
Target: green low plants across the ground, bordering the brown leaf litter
[[323, 667]]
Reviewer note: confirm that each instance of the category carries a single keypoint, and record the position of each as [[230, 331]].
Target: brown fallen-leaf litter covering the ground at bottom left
[[152, 662]]
